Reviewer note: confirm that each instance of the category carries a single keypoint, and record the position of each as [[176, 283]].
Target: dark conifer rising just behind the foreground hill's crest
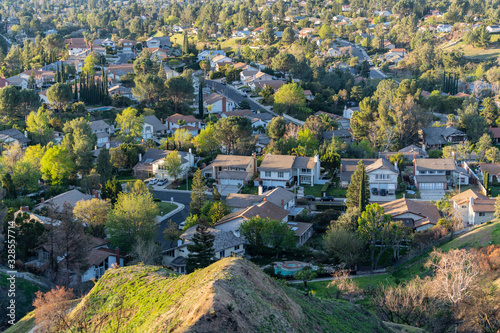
[[201, 250]]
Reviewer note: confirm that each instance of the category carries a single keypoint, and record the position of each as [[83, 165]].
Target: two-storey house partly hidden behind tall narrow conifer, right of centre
[[381, 173]]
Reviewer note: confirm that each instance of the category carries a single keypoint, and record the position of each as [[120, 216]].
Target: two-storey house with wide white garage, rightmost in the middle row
[[433, 173]]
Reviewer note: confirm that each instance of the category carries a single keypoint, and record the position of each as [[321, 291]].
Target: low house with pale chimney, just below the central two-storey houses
[[278, 196]]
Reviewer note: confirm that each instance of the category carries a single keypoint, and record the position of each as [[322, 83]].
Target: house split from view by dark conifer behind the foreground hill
[[225, 244]]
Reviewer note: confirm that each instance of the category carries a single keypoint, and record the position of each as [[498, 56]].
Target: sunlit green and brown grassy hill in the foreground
[[232, 295]]
